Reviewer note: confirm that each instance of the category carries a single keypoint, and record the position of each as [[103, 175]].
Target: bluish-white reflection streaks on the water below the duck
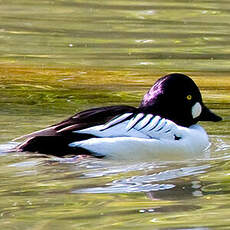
[[143, 183]]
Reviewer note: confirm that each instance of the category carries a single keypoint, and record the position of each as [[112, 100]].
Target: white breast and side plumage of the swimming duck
[[147, 137]]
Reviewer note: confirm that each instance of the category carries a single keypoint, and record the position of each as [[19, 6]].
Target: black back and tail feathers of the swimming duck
[[55, 139]]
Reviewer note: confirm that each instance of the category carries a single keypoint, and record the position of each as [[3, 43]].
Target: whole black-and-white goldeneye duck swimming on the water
[[164, 123]]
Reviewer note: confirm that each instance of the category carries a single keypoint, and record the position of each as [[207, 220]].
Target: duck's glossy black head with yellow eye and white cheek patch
[[177, 97]]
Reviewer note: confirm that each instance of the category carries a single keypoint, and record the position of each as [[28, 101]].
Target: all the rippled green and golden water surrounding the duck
[[59, 57]]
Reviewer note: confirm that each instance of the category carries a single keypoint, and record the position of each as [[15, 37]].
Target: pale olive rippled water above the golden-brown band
[[162, 35]]
